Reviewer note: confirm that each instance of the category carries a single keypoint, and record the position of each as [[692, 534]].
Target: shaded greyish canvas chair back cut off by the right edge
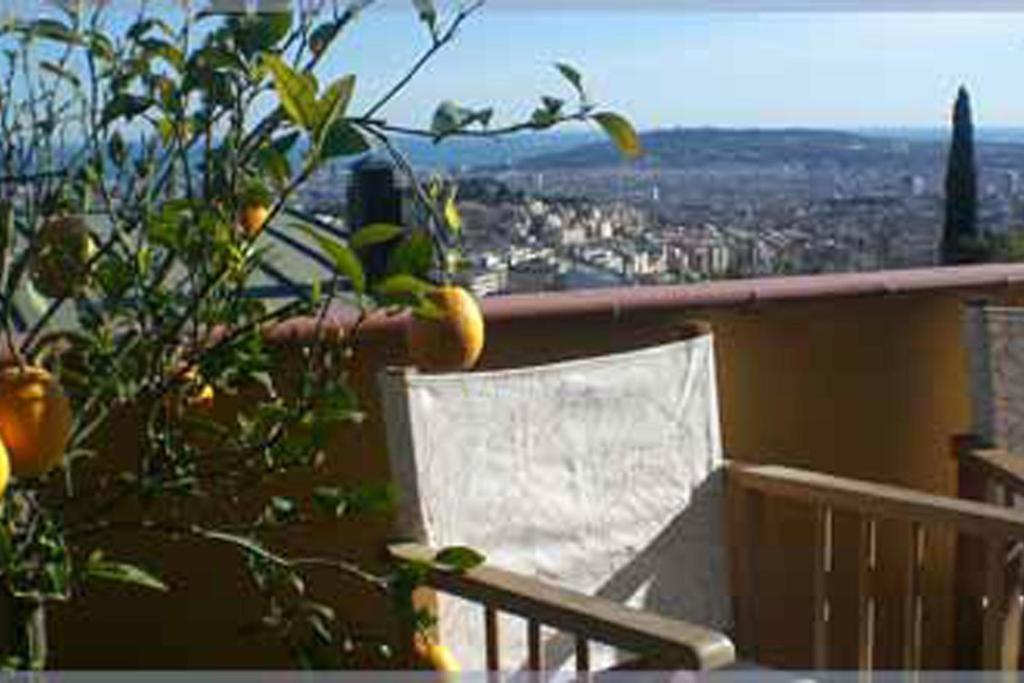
[[996, 348]]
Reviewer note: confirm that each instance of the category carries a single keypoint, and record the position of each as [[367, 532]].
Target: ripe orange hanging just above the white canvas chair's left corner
[[453, 341]]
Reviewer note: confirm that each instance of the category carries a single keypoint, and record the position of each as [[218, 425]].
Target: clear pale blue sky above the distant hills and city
[[685, 66]]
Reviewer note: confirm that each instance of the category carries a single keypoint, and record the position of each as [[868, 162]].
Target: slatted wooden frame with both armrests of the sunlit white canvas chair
[[668, 644]]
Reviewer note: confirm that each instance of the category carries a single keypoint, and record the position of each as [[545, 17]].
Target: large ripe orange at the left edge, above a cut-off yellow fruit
[[35, 420]]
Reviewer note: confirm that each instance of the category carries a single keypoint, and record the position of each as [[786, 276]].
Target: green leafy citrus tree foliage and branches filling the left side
[[160, 133]]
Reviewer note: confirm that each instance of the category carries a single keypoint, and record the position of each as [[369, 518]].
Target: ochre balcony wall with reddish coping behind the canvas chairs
[[861, 375]]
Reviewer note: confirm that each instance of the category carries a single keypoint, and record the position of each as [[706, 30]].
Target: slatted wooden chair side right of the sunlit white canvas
[[993, 527]]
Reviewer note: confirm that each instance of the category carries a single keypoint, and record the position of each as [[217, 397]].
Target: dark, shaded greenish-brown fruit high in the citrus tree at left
[[64, 248]]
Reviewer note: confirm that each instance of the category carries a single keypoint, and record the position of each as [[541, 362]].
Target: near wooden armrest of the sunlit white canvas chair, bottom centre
[[671, 642]]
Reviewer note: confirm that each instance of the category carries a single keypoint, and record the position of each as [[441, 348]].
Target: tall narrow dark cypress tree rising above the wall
[[961, 240]]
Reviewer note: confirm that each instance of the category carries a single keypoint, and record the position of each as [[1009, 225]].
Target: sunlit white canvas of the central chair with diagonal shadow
[[602, 476]]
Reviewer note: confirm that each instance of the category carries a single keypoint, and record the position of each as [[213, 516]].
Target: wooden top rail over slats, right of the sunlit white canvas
[[880, 500]]
